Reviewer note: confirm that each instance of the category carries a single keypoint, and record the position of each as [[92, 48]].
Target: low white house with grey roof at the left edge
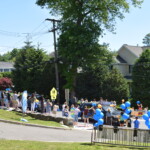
[[6, 66]]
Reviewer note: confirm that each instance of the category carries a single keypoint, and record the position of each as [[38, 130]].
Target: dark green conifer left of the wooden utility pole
[[28, 69]]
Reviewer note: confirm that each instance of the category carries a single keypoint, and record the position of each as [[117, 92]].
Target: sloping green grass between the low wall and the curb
[[16, 116]]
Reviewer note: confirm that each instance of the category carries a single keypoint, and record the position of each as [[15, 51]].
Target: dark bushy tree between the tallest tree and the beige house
[[90, 82]]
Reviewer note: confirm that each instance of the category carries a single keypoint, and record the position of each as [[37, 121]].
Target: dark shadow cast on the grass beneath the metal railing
[[117, 146]]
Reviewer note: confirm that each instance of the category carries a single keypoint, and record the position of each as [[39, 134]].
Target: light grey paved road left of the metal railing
[[20, 132]]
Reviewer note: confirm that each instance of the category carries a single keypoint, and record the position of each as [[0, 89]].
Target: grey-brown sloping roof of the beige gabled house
[[136, 50]]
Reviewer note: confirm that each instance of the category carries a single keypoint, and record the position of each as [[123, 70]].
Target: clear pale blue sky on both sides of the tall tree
[[23, 20]]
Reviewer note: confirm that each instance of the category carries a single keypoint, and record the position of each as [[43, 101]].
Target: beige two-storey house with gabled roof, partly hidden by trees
[[126, 58]]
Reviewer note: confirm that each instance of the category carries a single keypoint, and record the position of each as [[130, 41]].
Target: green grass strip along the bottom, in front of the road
[[32, 145]]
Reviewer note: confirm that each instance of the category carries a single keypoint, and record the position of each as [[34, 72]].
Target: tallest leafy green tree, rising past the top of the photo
[[82, 22]]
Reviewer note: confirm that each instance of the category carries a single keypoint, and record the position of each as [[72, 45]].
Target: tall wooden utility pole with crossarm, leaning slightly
[[56, 56]]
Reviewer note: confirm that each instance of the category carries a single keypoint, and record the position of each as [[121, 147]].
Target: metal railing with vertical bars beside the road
[[121, 136]]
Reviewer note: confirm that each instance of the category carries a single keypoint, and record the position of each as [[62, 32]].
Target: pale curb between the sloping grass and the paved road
[[33, 125]]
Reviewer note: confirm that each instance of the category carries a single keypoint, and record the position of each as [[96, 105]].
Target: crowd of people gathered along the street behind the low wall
[[70, 109]]
